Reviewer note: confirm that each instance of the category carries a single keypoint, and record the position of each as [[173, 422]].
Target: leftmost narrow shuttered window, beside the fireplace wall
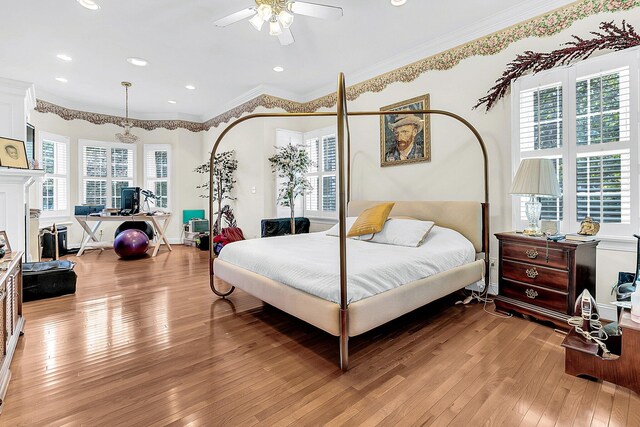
[[54, 158]]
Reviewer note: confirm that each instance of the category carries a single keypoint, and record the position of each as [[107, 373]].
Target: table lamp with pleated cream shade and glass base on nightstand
[[535, 178]]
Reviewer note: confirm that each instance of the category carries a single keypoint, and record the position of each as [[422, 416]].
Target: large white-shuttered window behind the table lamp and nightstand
[[581, 117]]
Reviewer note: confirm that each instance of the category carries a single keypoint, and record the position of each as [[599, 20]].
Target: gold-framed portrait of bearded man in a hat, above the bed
[[422, 140]]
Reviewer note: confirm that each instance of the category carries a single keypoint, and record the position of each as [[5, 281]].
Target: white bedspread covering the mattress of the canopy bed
[[310, 262]]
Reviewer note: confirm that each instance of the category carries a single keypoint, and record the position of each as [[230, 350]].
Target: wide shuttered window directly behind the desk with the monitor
[[106, 169]]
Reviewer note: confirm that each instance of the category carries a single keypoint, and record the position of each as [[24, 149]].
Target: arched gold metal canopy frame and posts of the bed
[[344, 189]]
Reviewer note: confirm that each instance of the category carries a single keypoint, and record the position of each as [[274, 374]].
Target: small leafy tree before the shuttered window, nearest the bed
[[291, 163]]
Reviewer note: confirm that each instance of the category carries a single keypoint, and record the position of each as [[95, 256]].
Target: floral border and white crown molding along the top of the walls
[[438, 57]]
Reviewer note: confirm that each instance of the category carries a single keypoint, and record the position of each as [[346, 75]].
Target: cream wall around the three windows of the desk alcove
[[185, 156]]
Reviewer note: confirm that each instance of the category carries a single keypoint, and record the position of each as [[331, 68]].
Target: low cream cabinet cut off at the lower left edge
[[11, 320]]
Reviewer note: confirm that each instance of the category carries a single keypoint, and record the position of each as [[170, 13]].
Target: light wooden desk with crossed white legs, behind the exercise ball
[[158, 221]]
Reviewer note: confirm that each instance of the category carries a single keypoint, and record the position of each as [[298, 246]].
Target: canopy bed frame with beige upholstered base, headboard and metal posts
[[347, 316]]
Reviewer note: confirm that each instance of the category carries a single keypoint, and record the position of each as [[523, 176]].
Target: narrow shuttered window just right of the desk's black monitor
[[156, 172]]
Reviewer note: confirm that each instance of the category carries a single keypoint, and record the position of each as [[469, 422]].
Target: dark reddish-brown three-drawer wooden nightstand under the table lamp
[[543, 280]]
